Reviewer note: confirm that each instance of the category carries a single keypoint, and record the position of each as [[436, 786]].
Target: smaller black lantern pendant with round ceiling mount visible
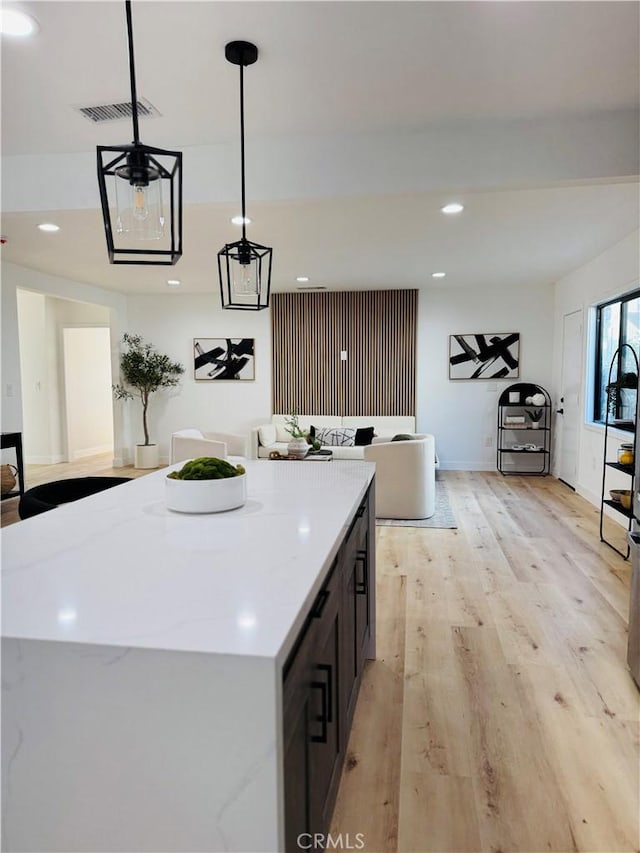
[[244, 267]]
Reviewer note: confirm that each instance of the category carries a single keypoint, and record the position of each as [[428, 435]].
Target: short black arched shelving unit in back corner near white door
[[515, 427]]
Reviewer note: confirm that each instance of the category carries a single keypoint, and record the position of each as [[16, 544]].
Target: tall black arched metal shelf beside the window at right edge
[[624, 461]]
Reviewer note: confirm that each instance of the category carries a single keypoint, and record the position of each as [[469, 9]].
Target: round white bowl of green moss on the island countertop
[[206, 484]]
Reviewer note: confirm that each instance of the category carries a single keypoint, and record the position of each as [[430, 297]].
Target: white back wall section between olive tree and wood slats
[[170, 322]]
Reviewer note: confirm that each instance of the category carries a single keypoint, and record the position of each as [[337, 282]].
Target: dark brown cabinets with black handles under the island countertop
[[322, 678]]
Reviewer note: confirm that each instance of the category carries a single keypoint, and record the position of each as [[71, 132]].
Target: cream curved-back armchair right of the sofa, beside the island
[[405, 477]]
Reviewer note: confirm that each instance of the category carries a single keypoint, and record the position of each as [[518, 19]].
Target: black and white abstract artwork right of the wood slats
[[484, 356]]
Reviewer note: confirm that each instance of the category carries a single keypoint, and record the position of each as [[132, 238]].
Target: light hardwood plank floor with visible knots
[[499, 715]]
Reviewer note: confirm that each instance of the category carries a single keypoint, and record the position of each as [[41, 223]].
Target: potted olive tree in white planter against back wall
[[144, 371]]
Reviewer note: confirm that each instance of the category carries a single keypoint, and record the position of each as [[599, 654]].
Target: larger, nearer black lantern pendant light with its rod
[[140, 193]]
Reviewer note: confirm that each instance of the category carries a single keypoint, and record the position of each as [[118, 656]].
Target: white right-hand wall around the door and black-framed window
[[610, 274]]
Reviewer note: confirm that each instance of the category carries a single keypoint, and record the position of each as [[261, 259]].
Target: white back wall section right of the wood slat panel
[[462, 414]]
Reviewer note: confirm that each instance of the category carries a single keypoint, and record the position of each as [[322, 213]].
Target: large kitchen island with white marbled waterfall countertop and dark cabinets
[[172, 682]]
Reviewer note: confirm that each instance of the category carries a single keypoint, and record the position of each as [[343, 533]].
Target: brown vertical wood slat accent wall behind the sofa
[[377, 328]]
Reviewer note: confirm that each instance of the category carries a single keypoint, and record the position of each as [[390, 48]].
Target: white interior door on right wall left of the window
[[568, 420]]
